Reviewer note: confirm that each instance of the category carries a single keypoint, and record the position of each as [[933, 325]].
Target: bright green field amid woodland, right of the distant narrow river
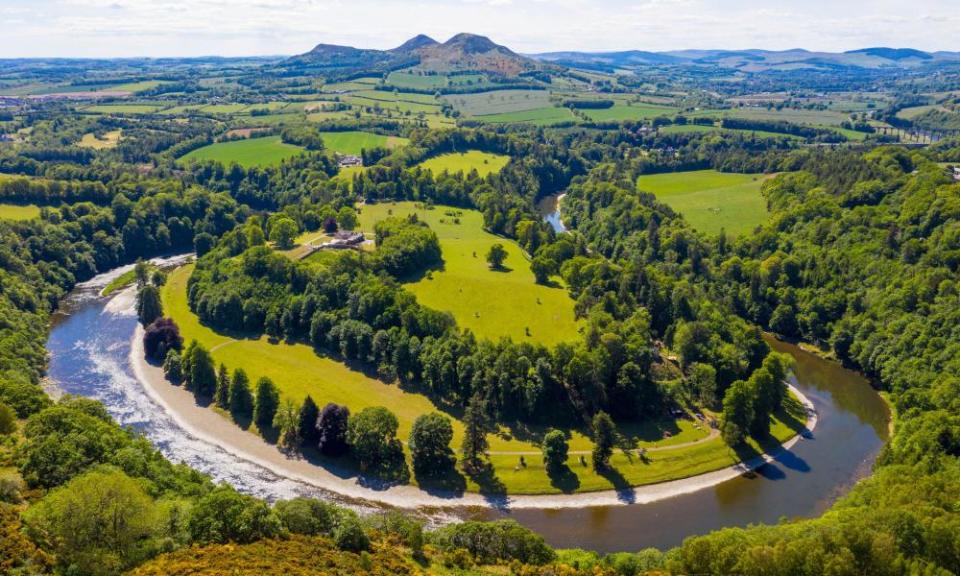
[[711, 200]]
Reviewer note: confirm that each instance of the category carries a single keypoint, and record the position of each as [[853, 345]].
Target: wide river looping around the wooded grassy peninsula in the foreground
[[89, 349]]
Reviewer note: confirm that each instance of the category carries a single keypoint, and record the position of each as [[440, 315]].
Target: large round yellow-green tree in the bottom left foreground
[[98, 523]]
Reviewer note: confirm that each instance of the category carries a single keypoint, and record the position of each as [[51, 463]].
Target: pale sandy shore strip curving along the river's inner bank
[[207, 425]]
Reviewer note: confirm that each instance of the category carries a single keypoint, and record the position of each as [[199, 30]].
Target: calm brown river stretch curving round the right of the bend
[[803, 482]]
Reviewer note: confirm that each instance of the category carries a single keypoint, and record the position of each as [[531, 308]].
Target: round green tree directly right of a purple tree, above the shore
[[372, 436]]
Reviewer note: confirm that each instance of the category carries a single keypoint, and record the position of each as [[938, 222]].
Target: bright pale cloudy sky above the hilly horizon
[[156, 28]]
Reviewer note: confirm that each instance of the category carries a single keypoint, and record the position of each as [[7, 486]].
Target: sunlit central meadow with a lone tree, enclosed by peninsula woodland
[[492, 304]]
